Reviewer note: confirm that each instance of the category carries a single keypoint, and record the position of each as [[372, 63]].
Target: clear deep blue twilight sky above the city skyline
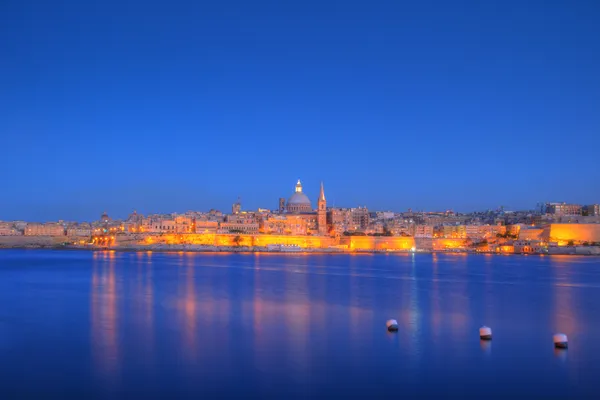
[[166, 106]]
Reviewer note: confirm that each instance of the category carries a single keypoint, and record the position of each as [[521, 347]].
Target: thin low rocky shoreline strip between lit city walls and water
[[247, 250]]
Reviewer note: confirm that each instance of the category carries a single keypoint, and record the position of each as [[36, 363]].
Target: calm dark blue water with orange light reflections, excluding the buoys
[[150, 325]]
